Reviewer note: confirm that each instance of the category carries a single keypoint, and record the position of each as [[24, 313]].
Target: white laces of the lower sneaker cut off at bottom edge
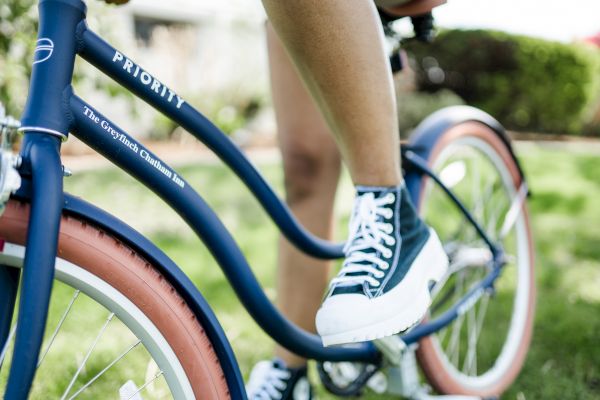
[[267, 382]]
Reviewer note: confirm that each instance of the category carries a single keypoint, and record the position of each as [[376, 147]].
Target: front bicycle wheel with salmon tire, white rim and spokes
[[116, 327]]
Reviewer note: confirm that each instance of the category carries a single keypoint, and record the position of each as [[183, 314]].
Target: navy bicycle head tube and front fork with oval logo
[[45, 123]]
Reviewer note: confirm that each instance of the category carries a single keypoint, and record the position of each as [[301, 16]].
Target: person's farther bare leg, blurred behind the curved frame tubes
[[311, 163]]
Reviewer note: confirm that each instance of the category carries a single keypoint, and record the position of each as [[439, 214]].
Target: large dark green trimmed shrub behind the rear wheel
[[527, 83]]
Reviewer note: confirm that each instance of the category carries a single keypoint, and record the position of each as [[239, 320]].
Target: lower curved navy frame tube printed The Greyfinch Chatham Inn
[[109, 140]]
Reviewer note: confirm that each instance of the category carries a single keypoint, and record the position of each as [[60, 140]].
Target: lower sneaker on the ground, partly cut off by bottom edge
[[273, 380]]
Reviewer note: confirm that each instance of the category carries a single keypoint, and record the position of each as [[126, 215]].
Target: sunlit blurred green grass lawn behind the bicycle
[[564, 360]]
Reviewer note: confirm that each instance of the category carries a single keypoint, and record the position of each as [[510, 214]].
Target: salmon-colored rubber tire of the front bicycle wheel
[[105, 257]]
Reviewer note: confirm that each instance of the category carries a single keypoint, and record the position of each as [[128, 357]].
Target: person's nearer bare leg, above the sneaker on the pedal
[[337, 46]]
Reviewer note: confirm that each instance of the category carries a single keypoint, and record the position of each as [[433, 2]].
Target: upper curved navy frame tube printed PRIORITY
[[124, 71]]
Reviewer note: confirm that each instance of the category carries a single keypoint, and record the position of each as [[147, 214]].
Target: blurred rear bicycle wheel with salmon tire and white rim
[[483, 350]]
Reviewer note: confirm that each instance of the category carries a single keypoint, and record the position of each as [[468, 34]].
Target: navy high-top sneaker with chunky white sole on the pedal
[[391, 258]]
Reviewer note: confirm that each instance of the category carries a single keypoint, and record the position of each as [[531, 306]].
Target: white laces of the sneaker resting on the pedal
[[367, 234]]
